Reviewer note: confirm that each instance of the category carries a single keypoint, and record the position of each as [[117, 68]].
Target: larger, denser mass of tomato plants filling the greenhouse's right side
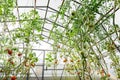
[[88, 32]]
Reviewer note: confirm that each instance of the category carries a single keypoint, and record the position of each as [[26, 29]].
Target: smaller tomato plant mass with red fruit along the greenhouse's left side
[[16, 61]]
